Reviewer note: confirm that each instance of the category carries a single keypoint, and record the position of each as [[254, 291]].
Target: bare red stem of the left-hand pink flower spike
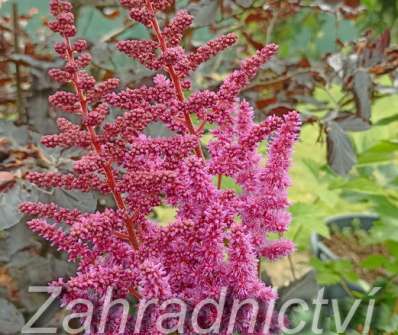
[[107, 167]]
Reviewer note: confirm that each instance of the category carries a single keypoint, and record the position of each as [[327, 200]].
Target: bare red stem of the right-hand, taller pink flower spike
[[173, 75]]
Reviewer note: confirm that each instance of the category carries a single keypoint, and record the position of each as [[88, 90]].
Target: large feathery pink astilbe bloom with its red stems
[[219, 236]]
